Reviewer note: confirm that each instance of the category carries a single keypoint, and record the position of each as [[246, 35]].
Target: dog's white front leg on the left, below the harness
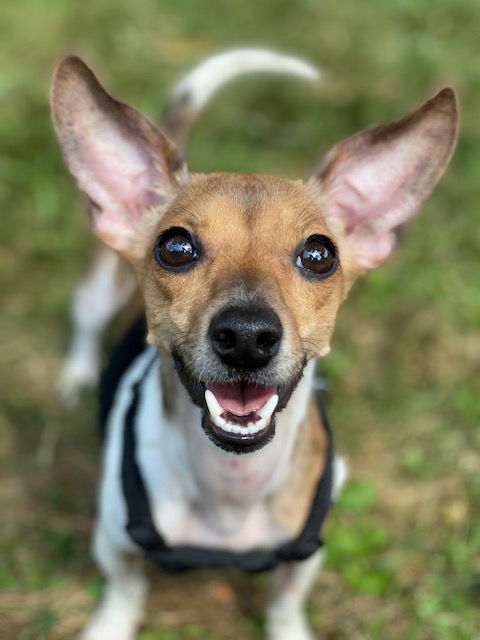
[[121, 609]]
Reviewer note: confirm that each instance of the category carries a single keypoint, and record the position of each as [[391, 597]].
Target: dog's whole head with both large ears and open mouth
[[243, 274]]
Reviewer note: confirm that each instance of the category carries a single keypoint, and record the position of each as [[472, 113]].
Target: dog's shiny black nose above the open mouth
[[246, 337]]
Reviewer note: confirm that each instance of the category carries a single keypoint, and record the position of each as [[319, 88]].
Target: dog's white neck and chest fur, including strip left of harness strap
[[200, 495]]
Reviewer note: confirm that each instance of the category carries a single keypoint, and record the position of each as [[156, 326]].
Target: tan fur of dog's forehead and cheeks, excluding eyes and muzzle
[[231, 215]]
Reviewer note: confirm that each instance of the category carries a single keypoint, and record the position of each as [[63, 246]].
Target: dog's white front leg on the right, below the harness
[[291, 584]]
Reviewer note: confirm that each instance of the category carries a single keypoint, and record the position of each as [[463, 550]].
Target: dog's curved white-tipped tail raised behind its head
[[196, 88]]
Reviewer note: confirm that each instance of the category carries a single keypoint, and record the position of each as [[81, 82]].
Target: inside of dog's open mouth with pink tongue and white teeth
[[241, 413]]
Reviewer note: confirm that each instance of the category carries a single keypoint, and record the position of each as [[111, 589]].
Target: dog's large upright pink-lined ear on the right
[[376, 180]]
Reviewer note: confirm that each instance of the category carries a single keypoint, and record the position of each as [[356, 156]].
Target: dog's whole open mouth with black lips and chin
[[238, 415]]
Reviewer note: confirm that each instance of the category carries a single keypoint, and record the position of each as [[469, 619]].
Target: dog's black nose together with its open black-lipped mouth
[[239, 407]]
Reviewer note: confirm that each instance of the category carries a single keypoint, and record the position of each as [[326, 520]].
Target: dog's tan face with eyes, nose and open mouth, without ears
[[242, 280]]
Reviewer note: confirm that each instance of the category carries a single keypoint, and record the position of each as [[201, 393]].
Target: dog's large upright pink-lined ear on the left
[[120, 160]]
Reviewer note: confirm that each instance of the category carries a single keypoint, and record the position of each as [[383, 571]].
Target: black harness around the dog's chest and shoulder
[[140, 524]]
